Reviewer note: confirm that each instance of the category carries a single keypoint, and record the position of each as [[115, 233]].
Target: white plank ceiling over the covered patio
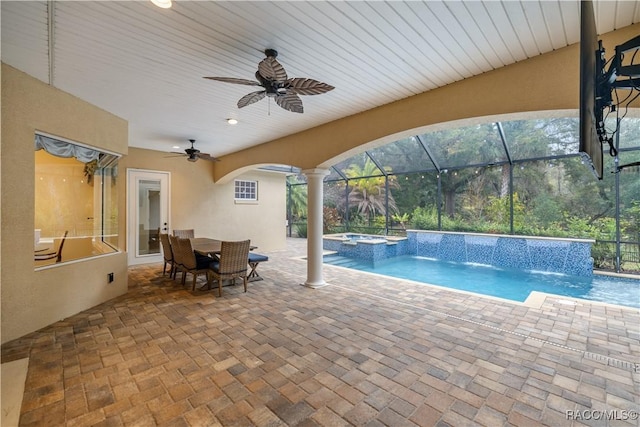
[[147, 64]]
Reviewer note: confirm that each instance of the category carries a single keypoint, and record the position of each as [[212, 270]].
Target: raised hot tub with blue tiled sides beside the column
[[365, 247]]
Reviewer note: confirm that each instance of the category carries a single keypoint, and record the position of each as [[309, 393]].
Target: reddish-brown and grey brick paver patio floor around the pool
[[363, 350]]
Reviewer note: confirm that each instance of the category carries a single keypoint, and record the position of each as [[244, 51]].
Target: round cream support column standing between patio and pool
[[315, 179]]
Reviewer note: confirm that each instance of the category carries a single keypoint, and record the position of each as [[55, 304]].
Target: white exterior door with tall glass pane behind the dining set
[[147, 214]]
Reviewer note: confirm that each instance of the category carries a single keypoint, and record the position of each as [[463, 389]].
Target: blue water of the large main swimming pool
[[514, 285]]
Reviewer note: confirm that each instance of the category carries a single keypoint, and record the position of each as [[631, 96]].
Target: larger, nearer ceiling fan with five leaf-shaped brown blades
[[275, 83]]
